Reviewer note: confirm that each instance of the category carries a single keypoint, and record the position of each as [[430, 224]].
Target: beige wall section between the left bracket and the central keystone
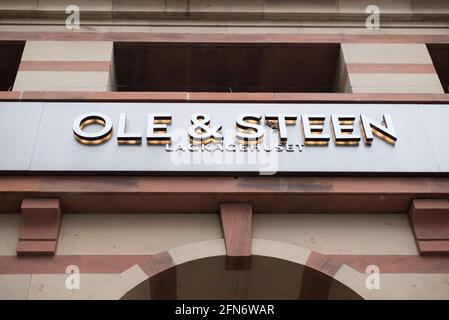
[[133, 233]]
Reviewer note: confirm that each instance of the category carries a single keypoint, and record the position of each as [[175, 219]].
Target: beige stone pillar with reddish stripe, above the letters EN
[[388, 68]]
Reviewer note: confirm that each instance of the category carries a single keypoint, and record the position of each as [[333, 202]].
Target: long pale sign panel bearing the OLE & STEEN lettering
[[188, 138]]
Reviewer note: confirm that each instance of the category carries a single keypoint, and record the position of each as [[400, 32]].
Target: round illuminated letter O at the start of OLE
[[92, 118]]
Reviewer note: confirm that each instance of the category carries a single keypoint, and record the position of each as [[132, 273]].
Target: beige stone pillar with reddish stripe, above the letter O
[[66, 66]]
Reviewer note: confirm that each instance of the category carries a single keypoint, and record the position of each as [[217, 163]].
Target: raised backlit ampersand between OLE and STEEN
[[201, 132]]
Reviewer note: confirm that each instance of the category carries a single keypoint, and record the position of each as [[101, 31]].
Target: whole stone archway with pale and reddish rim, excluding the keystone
[[279, 271]]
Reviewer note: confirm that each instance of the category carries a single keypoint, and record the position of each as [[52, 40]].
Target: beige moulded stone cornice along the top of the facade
[[233, 16]]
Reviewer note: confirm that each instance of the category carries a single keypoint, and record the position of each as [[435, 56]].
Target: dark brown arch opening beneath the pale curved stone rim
[[269, 279]]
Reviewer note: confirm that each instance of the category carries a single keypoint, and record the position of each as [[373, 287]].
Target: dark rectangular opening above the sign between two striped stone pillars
[[226, 67]]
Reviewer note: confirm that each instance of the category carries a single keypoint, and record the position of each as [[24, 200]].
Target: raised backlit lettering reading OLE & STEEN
[[249, 129]]
